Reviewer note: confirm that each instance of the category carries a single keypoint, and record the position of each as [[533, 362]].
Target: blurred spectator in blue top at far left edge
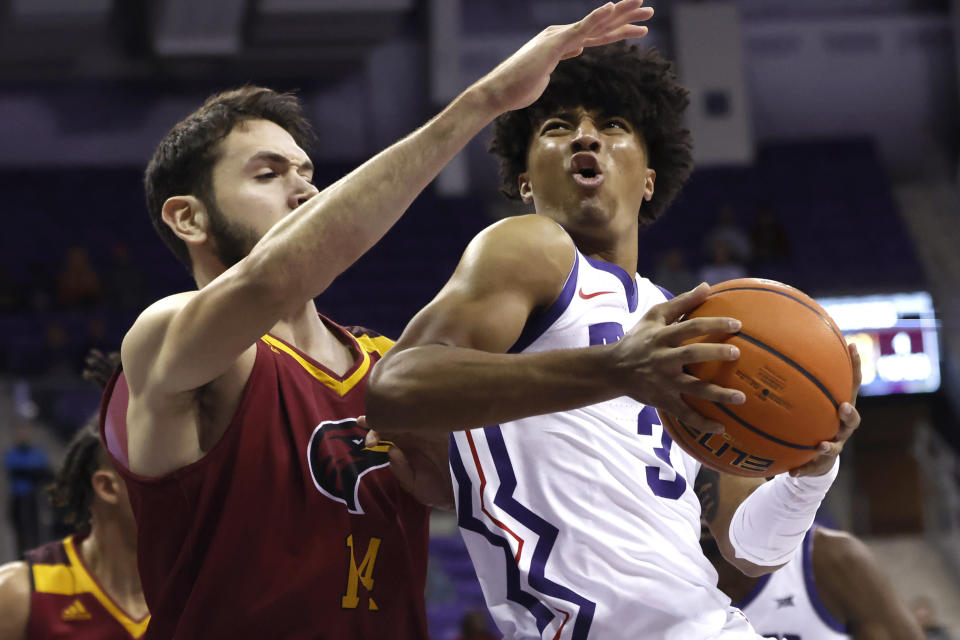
[[28, 471]]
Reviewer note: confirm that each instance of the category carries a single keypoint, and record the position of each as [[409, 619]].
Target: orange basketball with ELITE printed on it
[[794, 369]]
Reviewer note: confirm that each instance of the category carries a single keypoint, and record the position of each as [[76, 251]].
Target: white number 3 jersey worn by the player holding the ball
[[584, 524]]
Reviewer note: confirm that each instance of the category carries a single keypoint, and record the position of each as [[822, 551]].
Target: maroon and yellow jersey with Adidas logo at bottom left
[[66, 601]]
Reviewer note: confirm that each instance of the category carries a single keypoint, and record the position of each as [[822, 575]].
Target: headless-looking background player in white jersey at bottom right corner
[[833, 588]]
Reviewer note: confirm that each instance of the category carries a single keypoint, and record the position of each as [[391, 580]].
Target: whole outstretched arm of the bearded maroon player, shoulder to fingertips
[[187, 341]]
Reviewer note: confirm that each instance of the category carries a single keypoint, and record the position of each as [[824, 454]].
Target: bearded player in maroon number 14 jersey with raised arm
[[260, 513]]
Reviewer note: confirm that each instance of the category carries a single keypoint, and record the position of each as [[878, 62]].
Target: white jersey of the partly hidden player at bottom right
[[785, 604]]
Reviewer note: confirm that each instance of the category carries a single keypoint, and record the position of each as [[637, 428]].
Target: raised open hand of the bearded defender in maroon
[[519, 80]]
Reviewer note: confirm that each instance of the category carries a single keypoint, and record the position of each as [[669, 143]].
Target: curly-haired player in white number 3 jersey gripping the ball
[[579, 513]]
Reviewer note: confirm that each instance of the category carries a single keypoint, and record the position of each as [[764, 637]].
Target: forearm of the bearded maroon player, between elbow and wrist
[[314, 244]]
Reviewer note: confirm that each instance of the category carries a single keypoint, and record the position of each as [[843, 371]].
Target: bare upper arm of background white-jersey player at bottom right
[[854, 585]]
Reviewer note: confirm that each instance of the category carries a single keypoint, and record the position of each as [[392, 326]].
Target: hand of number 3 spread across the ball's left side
[[653, 358]]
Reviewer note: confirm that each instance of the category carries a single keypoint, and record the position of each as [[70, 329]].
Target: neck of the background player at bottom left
[[110, 555]]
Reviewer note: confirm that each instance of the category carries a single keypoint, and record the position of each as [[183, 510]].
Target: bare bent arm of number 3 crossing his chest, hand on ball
[[449, 370]]
